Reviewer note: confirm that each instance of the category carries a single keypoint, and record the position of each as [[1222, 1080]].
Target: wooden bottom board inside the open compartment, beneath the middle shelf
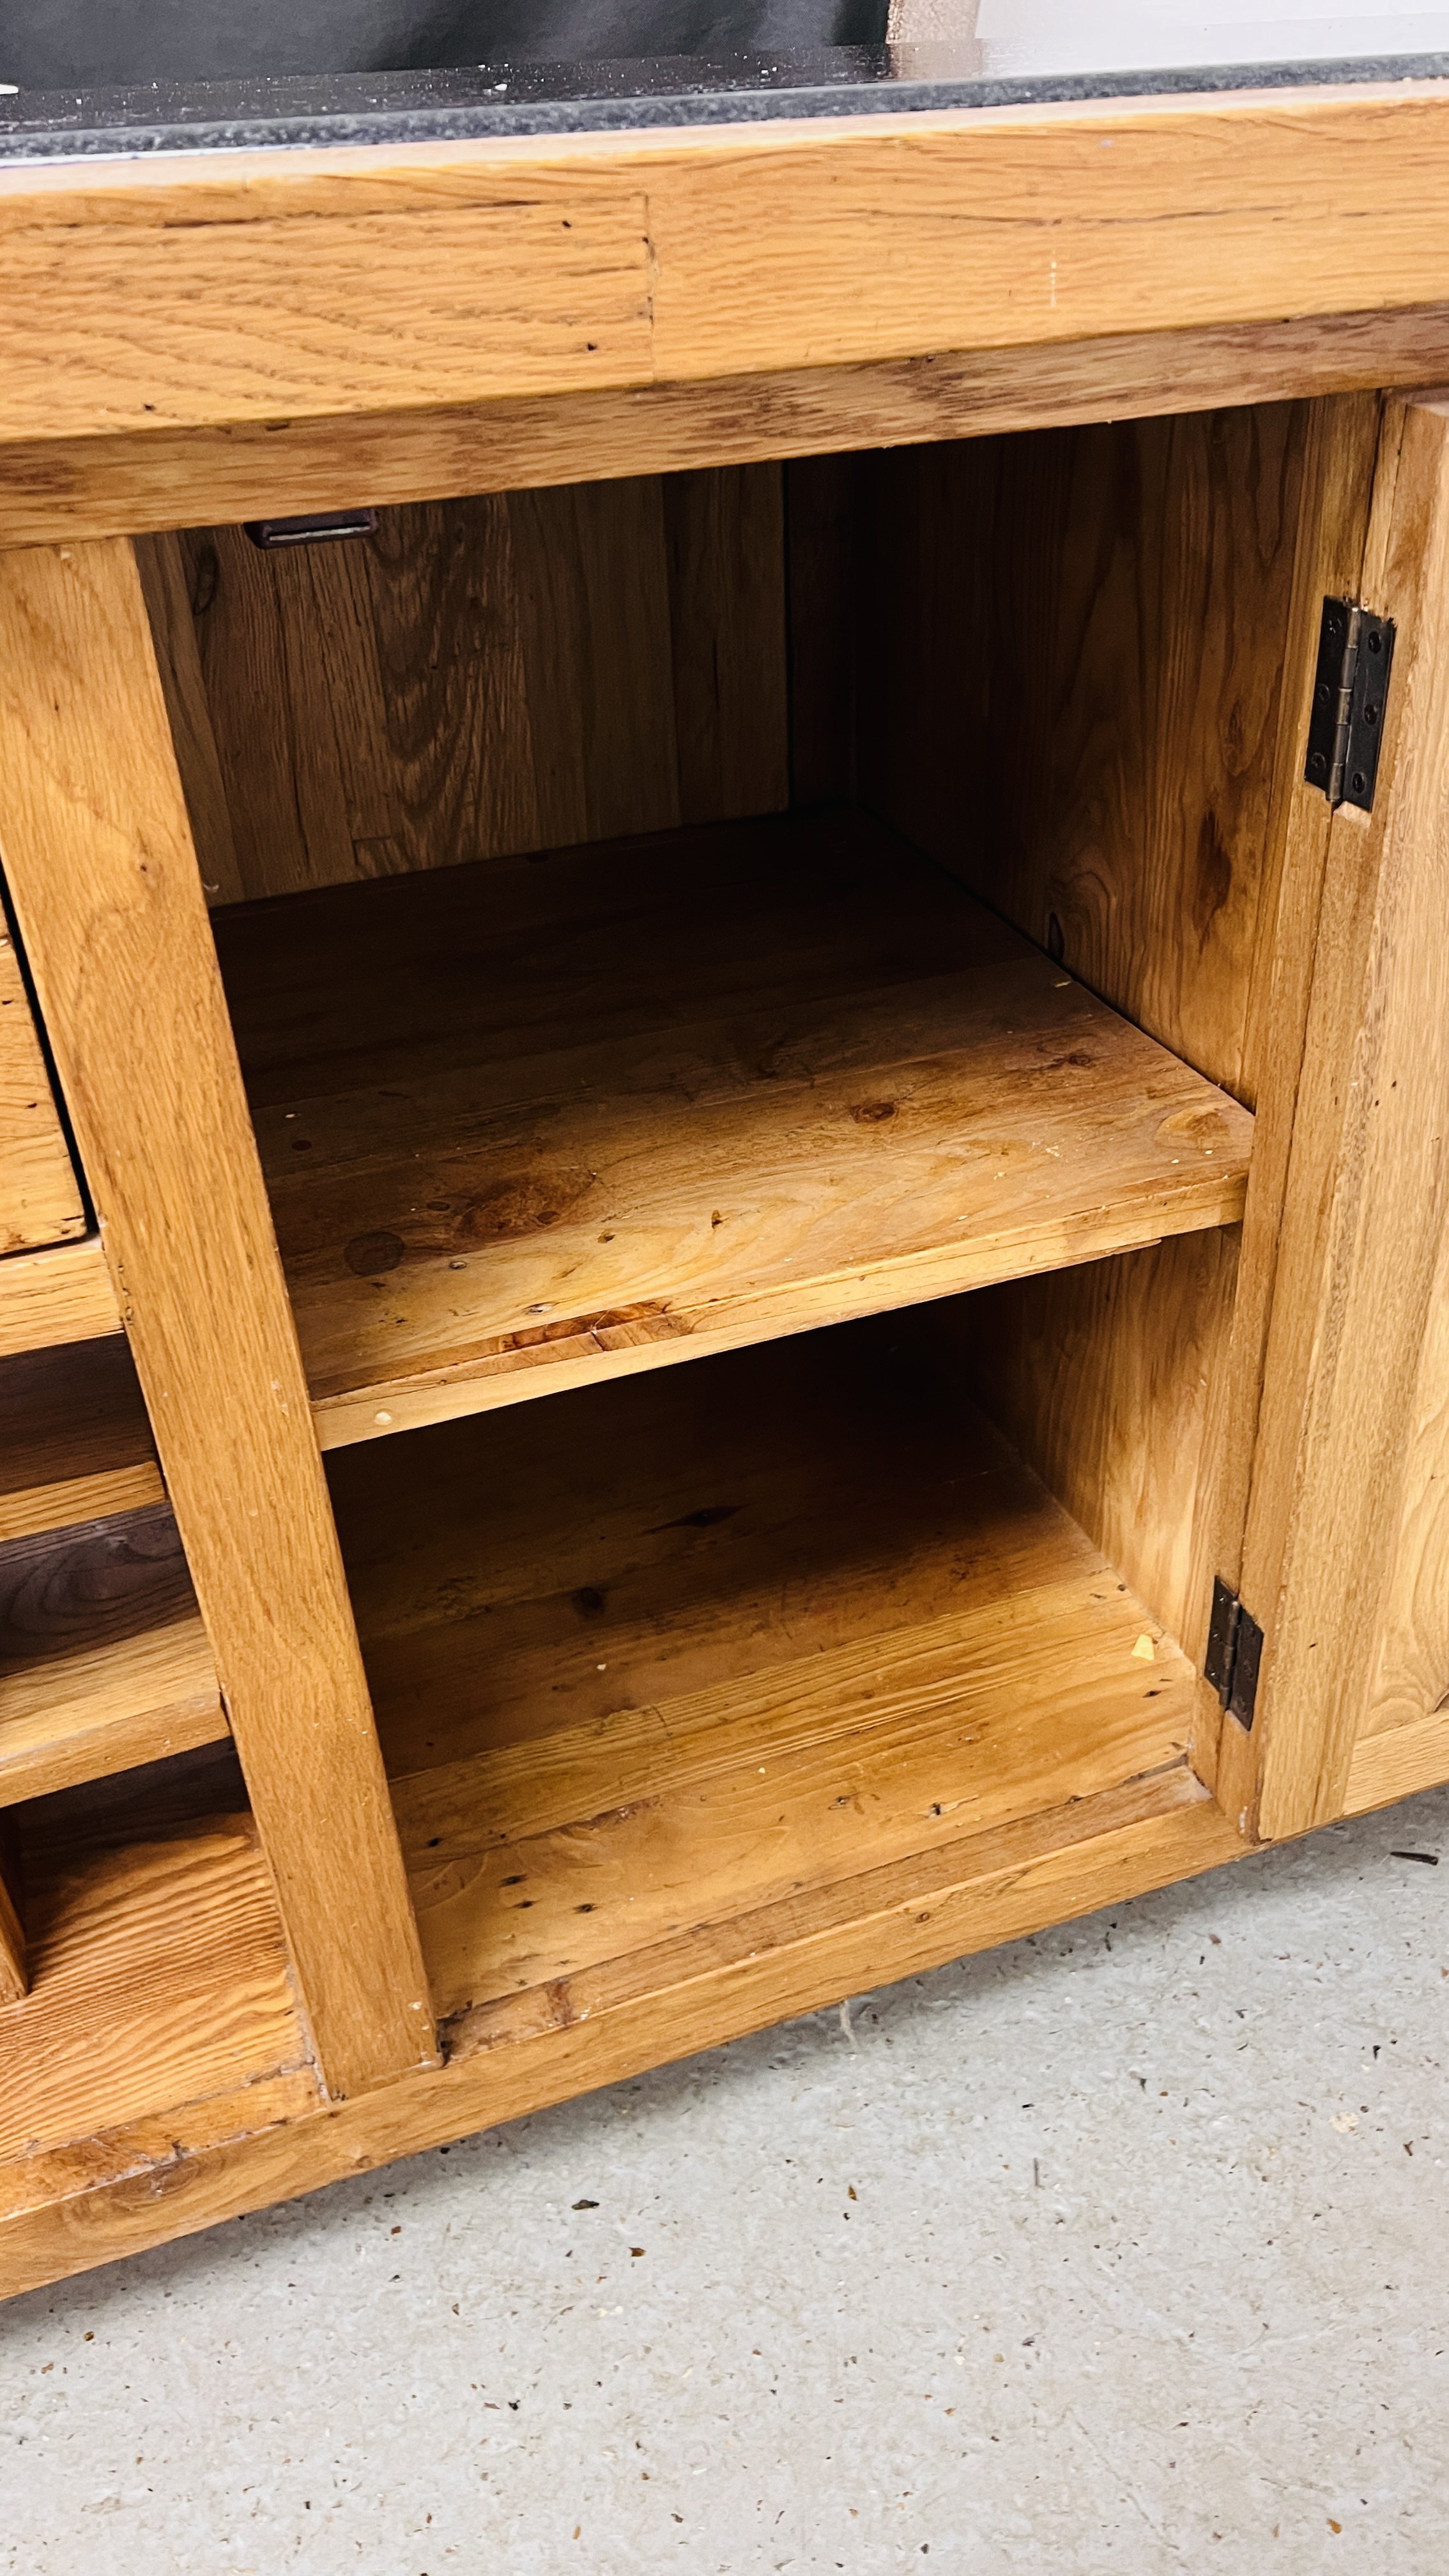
[[713, 1663]]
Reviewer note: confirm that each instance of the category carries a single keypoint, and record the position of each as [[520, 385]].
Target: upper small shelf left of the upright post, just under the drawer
[[76, 1439]]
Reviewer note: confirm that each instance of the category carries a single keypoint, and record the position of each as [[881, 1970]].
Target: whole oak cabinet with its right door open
[[759, 1282]]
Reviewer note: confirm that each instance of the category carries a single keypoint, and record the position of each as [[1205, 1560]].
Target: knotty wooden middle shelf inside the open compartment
[[540, 1122]]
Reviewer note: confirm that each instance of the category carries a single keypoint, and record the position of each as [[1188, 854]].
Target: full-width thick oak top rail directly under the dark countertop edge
[[228, 290]]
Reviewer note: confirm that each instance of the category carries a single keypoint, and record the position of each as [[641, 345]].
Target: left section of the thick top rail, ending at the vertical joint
[[378, 303]]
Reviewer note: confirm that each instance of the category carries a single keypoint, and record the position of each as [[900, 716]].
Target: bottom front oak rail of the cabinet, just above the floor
[[164, 2181]]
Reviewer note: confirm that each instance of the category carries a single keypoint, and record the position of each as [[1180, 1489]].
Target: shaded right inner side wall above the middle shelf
[[1107, 607]]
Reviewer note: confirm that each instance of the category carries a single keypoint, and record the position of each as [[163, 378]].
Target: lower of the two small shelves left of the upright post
[[104, 1660]]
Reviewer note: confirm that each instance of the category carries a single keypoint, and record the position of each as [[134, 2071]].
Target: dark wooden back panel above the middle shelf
[[478, 679]]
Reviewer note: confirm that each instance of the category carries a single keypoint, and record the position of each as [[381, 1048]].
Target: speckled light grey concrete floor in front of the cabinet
[[1120, 2250]]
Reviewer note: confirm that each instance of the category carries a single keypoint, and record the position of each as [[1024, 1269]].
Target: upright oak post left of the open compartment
[[110, 900]]
